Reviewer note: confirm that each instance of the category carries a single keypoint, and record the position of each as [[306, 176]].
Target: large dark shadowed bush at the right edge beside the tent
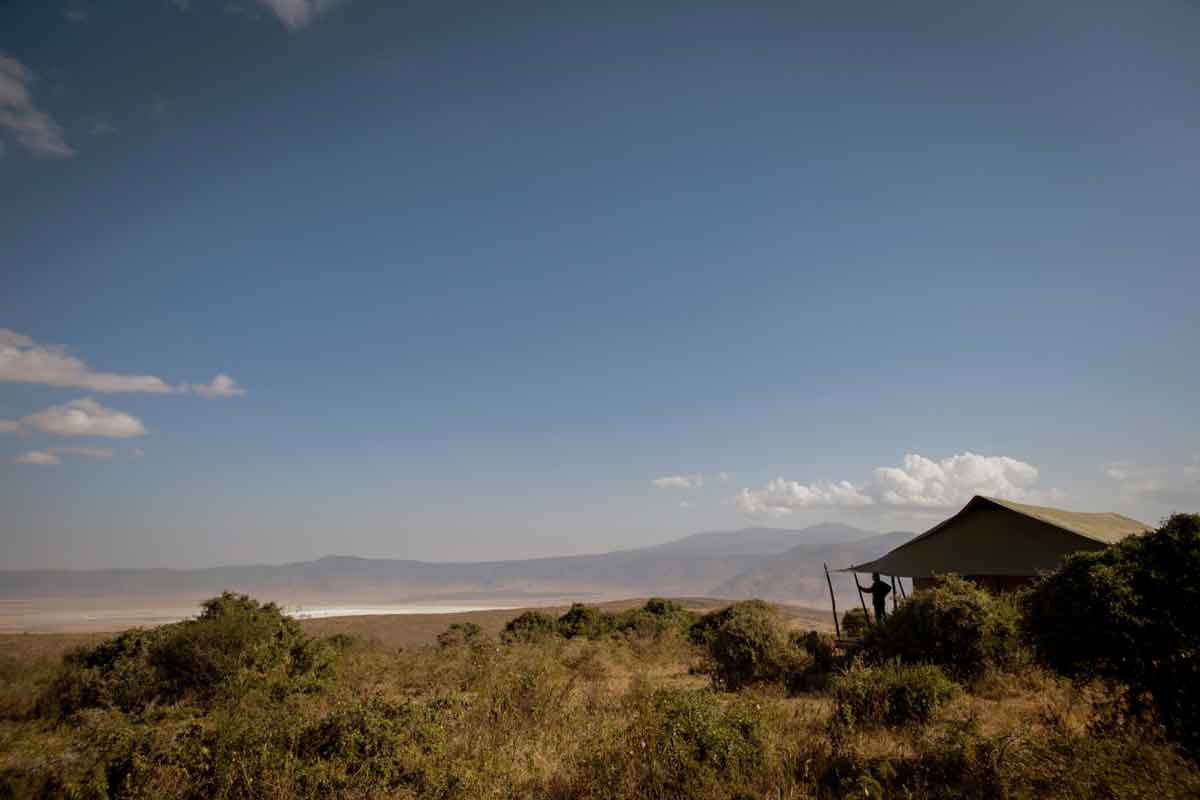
[[1129, 613]]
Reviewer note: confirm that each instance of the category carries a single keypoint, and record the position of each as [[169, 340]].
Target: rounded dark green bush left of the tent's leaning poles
[[746, 645]]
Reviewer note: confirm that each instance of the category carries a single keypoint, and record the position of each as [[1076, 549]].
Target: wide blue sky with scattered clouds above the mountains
[[472, 281]]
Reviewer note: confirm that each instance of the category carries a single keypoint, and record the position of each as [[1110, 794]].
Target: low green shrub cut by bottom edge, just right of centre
[[682, 744]]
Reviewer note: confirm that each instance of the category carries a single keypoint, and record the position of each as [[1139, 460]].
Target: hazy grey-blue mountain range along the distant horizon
[[777, 564]]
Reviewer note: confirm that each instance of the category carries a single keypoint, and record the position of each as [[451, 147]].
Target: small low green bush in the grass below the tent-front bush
[[891, 695]]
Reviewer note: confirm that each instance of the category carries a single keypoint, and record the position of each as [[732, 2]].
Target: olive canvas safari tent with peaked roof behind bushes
[[1001, 545]]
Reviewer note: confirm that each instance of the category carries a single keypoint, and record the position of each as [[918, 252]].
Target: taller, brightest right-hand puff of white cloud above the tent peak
[[952, 482]]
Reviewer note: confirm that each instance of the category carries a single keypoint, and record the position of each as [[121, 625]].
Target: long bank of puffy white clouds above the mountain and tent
[[919, 483]]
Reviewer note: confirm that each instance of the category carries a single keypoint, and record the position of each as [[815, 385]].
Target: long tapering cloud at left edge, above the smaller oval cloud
[[22, 360]]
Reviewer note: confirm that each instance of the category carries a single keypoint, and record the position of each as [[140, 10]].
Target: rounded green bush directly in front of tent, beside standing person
[[955, 625]]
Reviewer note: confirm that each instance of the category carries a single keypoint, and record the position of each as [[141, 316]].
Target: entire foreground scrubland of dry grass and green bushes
[[1083, 688]]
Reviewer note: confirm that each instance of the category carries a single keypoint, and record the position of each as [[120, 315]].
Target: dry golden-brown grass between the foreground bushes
[[615, 718]]
